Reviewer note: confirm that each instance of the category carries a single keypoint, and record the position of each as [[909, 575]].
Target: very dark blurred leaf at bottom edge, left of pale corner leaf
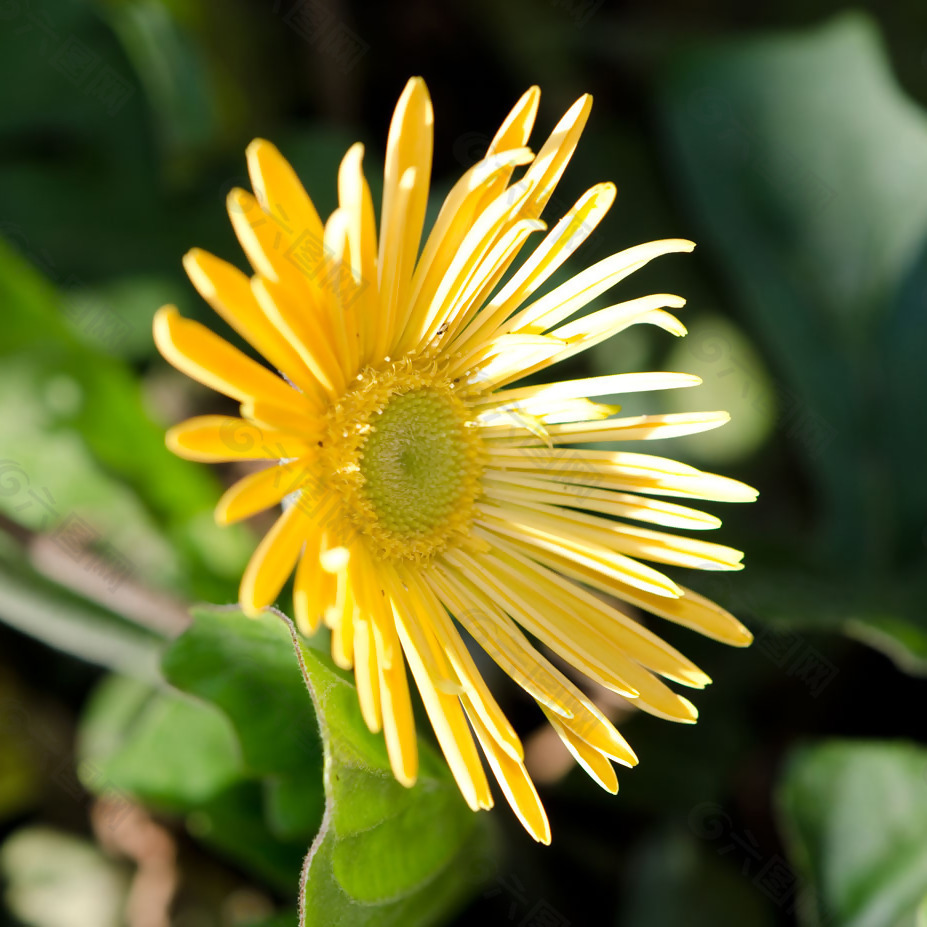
[[673, 879]]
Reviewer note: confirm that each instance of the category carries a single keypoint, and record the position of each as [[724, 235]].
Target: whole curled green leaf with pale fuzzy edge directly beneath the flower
[[384, 854]]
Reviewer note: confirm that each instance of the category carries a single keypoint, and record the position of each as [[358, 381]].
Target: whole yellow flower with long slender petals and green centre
[[423, 493]]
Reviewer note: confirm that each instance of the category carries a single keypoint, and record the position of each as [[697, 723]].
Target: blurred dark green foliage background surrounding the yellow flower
[[789, 140]]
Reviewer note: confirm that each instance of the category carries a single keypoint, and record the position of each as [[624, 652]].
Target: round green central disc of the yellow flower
[[415, 462]]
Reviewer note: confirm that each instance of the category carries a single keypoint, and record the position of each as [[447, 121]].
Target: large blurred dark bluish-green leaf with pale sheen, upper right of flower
[[801, 161]]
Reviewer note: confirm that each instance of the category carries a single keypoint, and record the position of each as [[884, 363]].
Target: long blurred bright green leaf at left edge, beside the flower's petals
[[82, 435]]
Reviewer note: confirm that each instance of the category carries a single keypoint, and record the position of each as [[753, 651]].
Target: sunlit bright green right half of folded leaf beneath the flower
[[385, 854]]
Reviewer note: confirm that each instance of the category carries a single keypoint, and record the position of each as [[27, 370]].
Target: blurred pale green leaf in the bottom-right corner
[[854, 815]]
